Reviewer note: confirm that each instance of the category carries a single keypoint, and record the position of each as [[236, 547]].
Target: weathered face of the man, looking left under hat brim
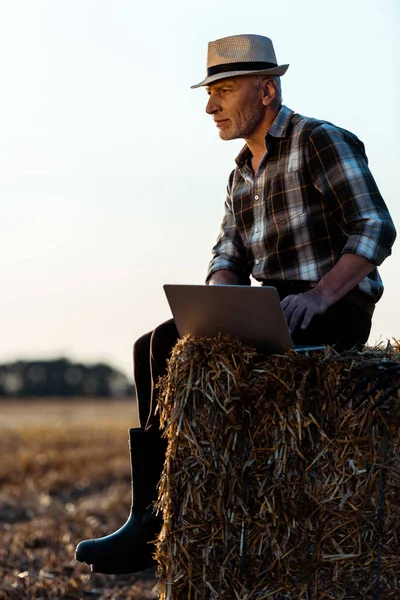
[[236, 106]]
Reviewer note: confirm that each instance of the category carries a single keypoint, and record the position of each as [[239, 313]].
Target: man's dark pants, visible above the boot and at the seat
[[344, 324]]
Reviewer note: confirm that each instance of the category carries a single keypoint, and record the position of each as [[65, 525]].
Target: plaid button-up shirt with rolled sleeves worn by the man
[[312, 199]]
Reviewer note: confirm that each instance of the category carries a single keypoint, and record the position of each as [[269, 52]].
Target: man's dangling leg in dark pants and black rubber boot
[[129, 550]]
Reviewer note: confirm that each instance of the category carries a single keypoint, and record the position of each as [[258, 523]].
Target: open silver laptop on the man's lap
[[252, 315]]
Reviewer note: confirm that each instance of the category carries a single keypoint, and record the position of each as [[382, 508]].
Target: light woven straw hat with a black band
[[241, 55]]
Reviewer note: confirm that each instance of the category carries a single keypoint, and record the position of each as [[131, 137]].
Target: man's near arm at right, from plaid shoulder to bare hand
[[339, 170]]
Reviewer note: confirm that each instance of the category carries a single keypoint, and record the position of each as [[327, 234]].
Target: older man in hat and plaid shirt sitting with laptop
[[303, 213]]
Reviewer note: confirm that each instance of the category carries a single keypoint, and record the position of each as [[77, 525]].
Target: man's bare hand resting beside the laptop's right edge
[[299, 309]]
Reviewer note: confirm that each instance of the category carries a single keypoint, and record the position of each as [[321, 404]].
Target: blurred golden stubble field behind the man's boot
[[64, 477]]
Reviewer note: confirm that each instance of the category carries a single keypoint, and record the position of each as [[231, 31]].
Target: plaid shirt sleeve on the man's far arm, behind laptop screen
[[229, 252]]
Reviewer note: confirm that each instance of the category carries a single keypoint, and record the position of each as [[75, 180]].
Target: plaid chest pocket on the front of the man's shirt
[[285, 200]]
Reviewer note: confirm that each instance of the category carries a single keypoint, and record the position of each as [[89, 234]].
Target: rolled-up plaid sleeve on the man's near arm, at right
[[340, 172]]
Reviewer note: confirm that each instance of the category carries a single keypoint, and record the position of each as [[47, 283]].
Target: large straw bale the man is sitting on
[[282, 474]]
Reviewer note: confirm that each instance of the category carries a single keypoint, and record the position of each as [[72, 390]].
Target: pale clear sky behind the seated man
[[112, 178]]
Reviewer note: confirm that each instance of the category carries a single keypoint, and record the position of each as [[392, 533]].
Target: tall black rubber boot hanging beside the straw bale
[[129, 549]]
